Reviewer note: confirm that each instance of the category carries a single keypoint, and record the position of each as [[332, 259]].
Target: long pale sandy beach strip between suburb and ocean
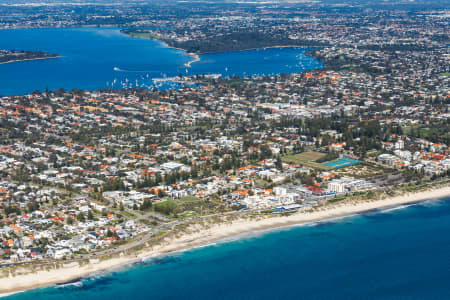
[[198, 236]]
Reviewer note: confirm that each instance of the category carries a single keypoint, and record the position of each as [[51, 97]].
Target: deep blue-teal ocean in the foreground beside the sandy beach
[[400, 253]]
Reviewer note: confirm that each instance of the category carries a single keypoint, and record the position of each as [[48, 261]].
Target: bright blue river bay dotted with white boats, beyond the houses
[[95, 58]]
